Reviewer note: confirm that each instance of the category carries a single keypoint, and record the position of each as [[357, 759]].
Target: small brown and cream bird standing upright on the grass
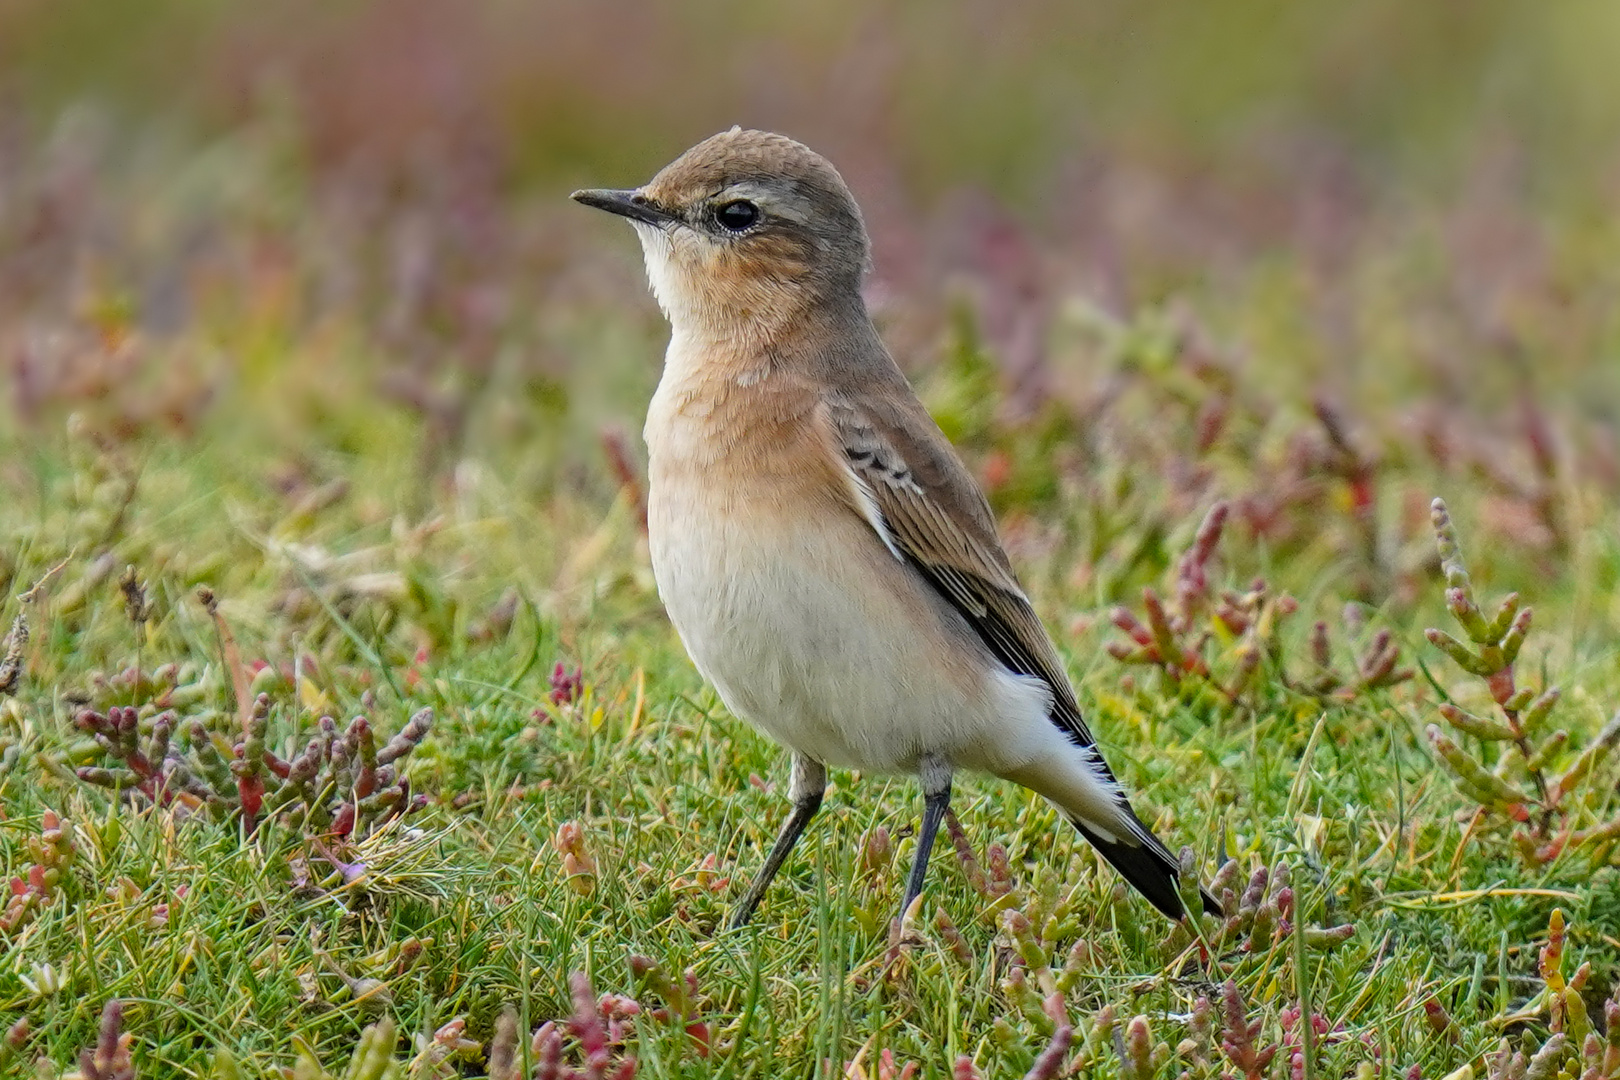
[[827, 559]]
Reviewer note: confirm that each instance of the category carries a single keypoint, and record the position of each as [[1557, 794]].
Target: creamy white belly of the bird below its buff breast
[[819, 637]]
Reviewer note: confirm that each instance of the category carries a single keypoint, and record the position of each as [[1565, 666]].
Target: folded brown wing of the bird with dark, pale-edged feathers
[[921, 500]]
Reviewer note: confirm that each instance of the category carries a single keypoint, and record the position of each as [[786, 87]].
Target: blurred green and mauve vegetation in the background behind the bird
[[1243, 249]]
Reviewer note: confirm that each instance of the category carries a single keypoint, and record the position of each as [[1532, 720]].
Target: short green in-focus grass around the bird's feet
[[215, 938]]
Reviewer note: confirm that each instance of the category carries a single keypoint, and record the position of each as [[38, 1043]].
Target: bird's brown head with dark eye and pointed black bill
[[748, 227]]
